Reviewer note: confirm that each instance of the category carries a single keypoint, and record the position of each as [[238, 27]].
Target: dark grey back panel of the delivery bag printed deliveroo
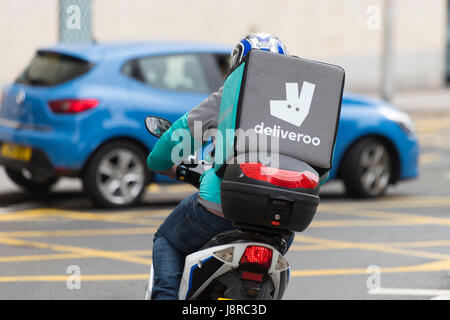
[[294, 100]]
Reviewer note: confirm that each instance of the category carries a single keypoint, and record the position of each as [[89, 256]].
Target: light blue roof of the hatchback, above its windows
[[97, 51]]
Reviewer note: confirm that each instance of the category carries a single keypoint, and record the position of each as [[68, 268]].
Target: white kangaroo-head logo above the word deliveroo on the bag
[[296, 107]]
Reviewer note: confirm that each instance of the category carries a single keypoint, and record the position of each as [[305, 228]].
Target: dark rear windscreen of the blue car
[[51, 69]]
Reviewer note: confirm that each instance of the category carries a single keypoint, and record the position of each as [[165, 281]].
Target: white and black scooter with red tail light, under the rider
[[246, 263]]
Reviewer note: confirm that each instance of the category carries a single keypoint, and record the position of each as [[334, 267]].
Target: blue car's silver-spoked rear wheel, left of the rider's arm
[[117, 174]]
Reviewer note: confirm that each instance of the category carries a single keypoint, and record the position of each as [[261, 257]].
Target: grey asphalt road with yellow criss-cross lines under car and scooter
[[396, 247]]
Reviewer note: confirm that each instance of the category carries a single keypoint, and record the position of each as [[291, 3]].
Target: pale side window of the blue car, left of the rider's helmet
[[174, 72]]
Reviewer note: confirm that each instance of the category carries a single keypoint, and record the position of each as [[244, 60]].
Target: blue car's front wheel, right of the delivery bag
[[367, 169]]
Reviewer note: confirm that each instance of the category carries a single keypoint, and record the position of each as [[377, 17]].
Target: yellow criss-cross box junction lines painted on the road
[[367, 209]]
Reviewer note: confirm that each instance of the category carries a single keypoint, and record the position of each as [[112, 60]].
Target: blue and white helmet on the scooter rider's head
[[261, 41]]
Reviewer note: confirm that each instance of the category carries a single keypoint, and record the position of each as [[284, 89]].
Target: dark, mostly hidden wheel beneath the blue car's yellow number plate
[[31, 181]]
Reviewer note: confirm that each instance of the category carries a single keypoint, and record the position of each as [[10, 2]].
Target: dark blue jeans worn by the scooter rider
[[183, 232]]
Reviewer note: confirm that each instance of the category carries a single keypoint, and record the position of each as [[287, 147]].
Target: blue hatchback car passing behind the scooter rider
[[78, 110]]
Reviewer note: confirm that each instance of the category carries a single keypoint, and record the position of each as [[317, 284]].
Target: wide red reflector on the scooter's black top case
[[280, 177]]
